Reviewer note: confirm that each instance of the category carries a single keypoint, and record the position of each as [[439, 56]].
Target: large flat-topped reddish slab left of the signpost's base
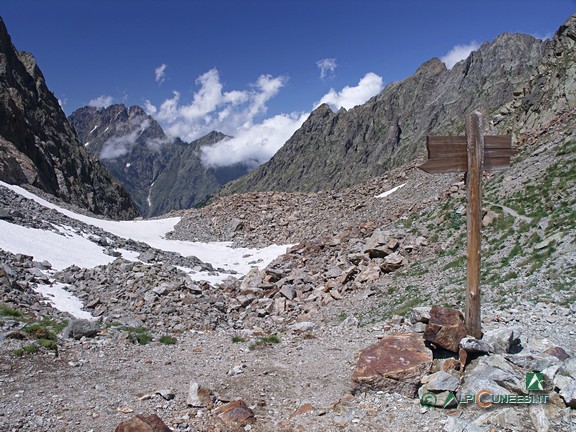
[[395, 364]]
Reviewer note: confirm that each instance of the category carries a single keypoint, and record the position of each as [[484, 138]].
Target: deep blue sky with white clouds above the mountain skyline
[[251, 68]]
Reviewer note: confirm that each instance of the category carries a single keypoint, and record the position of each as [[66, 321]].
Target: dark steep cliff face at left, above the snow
[[39, 147]]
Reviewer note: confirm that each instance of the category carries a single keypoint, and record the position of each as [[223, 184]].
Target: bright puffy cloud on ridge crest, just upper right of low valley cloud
[[370, 85]]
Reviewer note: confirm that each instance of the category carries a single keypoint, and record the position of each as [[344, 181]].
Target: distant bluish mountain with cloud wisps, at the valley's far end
[[161, 173]]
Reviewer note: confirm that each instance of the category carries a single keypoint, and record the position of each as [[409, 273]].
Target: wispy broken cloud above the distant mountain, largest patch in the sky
[[214, 109]]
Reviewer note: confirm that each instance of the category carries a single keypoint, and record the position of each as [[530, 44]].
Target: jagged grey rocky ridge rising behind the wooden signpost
[[337, 150]]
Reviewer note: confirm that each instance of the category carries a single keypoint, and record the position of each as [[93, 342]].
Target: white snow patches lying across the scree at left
[[72, 248]]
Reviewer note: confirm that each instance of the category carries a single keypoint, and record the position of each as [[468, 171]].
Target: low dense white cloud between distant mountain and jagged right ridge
[[254, 144]]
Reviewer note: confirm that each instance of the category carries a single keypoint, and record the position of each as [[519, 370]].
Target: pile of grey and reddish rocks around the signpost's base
[[468, 373]]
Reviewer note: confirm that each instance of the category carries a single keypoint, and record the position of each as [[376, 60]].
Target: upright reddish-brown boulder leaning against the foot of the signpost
[[445, 328]]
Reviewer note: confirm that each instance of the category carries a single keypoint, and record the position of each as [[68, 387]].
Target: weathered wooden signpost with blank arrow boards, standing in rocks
[[472, 153]]
